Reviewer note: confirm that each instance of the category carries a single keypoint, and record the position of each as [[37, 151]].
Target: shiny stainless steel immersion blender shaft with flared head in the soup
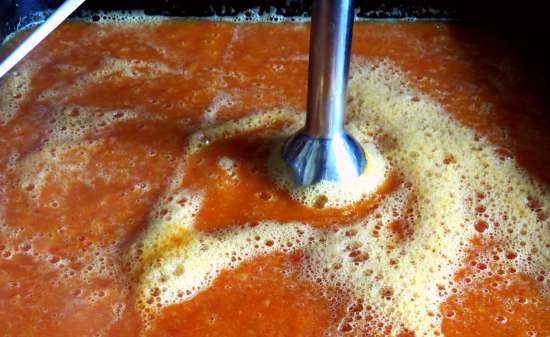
[[323, 150]]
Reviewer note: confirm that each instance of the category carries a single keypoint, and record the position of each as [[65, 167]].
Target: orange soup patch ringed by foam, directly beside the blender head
[[253, 196]]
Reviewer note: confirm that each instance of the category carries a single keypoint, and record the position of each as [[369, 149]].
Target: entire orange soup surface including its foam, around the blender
[[140, 193]]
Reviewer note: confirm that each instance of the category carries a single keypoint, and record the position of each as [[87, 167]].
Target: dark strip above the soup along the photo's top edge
[[530, 14]]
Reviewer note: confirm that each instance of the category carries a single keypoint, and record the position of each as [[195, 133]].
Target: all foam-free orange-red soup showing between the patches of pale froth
[[62, 265]]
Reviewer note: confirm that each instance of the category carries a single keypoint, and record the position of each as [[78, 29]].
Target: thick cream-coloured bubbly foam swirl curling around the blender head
[[444, 168]]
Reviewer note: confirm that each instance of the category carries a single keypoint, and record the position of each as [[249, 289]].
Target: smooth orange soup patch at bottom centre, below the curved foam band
[[291, 307]]
